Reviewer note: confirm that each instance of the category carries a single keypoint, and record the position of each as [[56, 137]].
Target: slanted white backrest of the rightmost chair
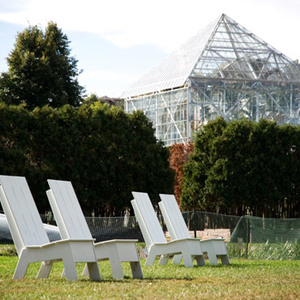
[[173, 217]]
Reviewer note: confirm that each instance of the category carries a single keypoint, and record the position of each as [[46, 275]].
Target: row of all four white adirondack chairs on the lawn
[[77, 244]]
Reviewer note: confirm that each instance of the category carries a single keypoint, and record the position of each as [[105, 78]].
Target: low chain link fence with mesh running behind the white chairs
[[247, 236]]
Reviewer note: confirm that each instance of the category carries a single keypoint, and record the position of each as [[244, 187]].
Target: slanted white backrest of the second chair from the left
[[67, 211]]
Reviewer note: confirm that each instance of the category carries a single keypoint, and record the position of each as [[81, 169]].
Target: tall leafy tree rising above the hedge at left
[[41, 70]]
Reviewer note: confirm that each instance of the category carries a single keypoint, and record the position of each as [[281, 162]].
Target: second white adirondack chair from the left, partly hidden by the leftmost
[[72, 224]]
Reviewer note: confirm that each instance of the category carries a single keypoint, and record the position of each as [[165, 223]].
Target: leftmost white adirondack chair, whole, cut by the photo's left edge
[[30, 237]]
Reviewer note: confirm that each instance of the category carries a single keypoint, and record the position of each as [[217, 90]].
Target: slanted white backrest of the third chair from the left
[[147, 219]]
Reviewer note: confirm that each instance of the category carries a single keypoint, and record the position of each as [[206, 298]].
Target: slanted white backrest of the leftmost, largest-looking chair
[[23, 218]]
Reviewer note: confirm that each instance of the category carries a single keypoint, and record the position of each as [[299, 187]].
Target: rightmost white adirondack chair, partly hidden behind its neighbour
[[178, 230]]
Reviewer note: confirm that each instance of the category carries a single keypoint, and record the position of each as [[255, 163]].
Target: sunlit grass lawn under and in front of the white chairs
[[243, 279]]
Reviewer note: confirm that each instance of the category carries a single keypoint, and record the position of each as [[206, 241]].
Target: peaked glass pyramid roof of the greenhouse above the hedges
[[224, 50]]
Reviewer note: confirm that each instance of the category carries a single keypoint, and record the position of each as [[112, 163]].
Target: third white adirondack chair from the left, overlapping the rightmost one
[[155, 239]]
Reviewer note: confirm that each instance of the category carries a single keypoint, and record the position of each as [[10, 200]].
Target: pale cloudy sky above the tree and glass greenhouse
[[118, 41]]
